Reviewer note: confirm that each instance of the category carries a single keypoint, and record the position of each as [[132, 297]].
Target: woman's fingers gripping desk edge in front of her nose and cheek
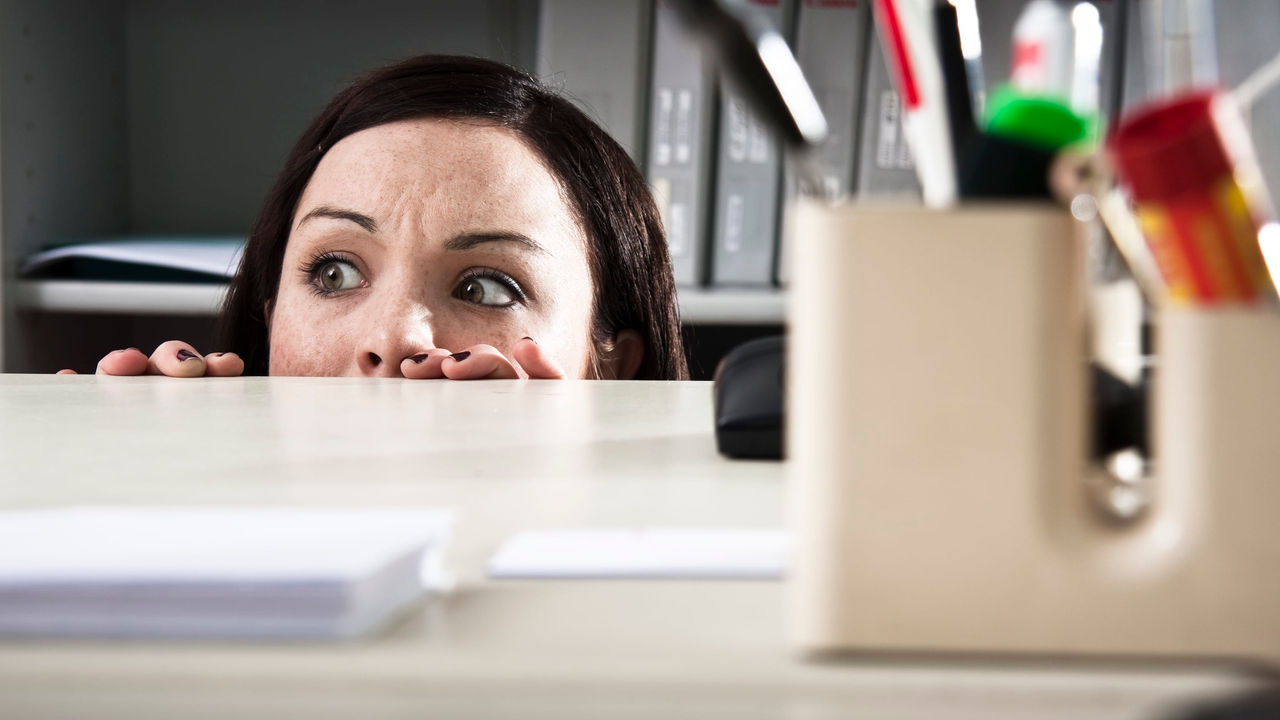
[[484, 363]]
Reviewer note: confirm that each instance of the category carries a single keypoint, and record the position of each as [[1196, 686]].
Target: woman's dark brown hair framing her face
[[627, 247]]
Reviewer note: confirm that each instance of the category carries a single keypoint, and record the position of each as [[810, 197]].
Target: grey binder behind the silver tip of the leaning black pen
[[831, 48]]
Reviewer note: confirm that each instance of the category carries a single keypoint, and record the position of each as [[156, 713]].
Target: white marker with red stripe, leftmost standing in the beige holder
[[912, 56]]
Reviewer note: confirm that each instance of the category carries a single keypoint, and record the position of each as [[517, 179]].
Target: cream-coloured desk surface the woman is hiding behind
[[509, 457]]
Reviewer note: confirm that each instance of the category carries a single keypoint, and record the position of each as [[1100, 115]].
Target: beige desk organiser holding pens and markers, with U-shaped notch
[[938, 476]]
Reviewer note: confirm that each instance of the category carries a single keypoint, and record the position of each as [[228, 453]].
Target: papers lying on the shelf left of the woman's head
[[214, 257]]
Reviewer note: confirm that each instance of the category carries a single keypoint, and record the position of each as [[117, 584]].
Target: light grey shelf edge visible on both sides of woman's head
[[697, 307]]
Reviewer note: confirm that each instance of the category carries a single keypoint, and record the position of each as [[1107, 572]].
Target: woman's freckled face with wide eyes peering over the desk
[[429, 234]]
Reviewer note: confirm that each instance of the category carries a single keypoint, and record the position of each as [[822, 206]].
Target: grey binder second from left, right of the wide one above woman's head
[[680, 143]]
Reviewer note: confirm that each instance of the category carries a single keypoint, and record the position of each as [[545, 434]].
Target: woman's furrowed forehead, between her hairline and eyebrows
[[437, 171]]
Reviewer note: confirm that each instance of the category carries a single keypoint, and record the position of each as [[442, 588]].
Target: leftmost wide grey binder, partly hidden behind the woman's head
[[597, 54]]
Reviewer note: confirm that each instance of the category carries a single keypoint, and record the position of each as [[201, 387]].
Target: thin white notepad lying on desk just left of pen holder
[[644, 554]]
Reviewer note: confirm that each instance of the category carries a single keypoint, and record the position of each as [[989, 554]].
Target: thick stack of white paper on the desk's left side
[[214, 573]]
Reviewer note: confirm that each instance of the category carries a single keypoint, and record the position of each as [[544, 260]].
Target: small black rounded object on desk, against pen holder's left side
[[749, 400]]
